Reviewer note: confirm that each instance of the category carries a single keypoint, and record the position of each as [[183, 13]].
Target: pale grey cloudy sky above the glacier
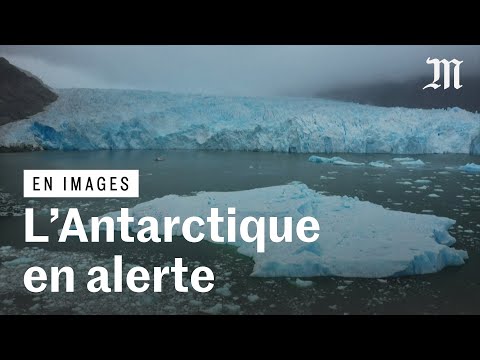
[[232, 70]]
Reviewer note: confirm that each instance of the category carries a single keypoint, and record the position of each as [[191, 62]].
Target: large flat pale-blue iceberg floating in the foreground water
[[357, 238]]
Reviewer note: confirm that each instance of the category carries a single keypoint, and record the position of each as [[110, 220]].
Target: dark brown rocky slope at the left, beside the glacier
[[21, 94]]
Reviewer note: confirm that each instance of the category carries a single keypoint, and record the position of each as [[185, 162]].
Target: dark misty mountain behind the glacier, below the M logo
[[410, 94]]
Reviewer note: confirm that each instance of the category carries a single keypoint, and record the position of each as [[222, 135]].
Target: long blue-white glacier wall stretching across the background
[[94, 119]]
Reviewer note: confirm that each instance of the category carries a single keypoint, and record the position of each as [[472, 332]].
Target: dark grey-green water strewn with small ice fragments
[[454, 290]]
